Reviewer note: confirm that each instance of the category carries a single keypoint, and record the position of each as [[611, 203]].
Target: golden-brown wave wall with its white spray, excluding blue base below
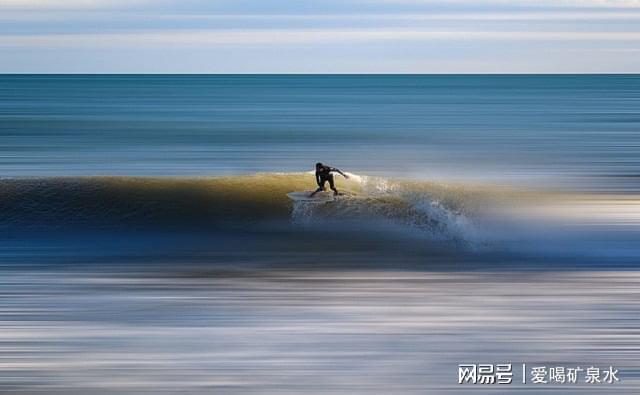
[[128, 201]]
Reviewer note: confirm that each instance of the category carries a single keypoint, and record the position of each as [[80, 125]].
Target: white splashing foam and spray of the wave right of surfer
[[435, 211]]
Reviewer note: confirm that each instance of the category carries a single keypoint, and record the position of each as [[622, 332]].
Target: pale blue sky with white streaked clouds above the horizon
[[322, 36]]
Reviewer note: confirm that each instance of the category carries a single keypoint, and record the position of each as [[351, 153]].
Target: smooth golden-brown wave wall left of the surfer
[[101, 201]]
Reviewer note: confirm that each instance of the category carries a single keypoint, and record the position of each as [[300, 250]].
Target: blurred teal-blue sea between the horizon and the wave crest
[[578, 130]]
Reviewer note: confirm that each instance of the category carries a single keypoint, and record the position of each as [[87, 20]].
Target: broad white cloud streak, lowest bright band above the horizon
[[290, 36]]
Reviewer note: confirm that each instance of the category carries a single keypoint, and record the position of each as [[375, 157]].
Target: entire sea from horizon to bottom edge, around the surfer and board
[[147, 243]]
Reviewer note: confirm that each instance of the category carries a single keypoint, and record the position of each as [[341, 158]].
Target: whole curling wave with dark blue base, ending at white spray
[[241, 220]]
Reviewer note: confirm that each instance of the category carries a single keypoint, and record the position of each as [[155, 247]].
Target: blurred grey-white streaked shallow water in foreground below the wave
[[192, 331]]
